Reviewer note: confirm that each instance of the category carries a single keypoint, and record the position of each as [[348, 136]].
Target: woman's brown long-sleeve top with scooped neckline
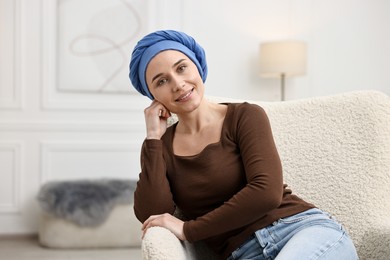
[[228, 191]]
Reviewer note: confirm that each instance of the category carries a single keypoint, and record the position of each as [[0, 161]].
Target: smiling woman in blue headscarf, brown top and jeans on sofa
[[218, 165]]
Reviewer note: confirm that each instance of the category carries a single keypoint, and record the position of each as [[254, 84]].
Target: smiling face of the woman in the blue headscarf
[[174, 80]]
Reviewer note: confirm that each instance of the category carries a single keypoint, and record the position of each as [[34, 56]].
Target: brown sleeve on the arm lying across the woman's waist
[[264, 189]]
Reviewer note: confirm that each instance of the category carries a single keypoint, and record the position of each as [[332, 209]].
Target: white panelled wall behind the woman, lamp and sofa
[[49, 130]]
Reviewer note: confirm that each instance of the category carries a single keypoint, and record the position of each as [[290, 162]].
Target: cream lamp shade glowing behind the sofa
[[286, 57]]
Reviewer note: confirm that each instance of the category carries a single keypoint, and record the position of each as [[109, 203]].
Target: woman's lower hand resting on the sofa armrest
[[167, 221]]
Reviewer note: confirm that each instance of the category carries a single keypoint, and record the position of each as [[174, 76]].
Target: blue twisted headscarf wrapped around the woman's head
[[159, 41]]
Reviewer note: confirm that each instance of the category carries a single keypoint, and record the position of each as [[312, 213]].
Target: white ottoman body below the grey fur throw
[[121, 229]]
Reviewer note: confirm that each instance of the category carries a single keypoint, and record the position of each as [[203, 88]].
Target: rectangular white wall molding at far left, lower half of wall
[[16, 148]]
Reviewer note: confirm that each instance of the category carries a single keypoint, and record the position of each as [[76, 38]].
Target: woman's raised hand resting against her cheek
[[156, 116]]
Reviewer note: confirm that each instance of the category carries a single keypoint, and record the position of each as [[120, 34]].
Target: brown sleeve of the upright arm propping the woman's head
[[152, 195]]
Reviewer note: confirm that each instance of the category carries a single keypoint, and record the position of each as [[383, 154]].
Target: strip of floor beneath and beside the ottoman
[[27, 248]]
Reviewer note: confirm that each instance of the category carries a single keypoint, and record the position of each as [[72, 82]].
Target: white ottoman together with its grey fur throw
[[119, 228]]
